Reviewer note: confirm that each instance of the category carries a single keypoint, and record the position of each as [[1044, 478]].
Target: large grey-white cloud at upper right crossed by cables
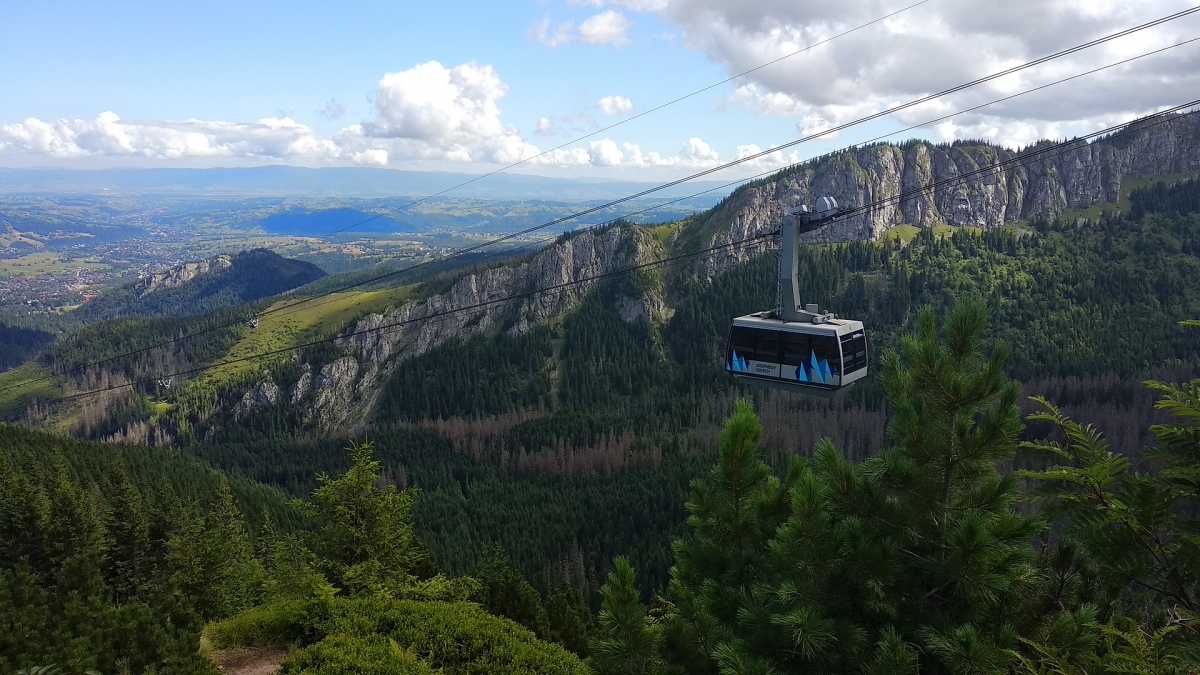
[[933, 47]]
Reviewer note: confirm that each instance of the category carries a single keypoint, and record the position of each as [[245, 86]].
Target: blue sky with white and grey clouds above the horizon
[[475, 87]]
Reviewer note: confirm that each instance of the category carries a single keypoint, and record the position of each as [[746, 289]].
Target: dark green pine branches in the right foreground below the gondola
[[917, 560]]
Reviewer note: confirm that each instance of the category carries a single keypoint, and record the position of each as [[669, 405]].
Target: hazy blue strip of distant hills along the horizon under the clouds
[[281, 181]]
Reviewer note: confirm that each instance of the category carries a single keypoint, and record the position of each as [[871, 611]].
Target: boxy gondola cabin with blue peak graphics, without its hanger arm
[[814, 359]]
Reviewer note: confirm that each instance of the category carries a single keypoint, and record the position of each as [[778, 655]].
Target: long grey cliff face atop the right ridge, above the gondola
[[1043, 188]]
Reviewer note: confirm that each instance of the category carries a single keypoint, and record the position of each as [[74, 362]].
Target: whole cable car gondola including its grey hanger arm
[[794, 348]]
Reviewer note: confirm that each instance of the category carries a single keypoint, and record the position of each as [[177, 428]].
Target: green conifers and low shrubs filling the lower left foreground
[[106, 566]]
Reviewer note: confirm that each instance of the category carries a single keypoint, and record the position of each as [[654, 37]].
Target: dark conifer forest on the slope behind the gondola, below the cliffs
[[574, 440]]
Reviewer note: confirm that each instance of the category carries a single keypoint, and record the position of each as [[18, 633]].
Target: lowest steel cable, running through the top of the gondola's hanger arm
[[1058, 150]]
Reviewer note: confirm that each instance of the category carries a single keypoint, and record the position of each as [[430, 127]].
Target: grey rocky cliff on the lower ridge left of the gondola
[[478, 303]]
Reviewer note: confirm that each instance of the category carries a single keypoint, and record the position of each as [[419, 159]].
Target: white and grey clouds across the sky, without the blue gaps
[[434, 114]]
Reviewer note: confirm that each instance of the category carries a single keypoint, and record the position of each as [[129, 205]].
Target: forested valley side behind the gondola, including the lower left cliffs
[[513, 408]]
